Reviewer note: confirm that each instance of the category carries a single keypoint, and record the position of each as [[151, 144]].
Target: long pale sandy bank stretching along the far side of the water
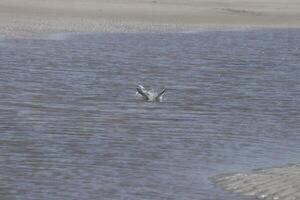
[[38, 17]]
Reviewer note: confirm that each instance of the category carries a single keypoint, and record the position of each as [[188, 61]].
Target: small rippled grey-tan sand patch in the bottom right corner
[[281, 183]]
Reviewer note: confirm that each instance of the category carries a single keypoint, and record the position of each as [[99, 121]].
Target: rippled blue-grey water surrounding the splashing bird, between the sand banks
[[72, 128]]
